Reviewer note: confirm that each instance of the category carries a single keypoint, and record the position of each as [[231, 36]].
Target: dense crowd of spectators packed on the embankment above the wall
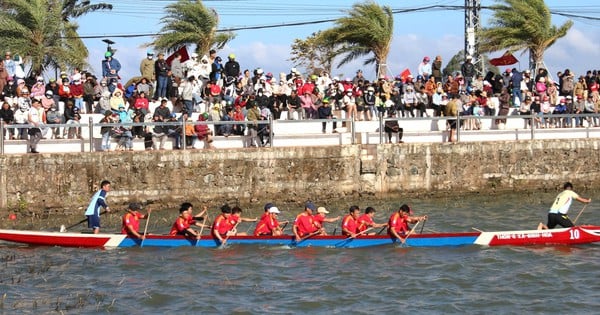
[[220, 91]]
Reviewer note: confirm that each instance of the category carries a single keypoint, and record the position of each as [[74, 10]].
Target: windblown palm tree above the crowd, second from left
[[190, 22]]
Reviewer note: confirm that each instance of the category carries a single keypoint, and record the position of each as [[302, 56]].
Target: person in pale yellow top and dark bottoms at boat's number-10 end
[[558, 211]]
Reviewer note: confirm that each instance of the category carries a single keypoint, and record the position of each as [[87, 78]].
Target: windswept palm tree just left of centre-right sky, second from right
[[368, 29]]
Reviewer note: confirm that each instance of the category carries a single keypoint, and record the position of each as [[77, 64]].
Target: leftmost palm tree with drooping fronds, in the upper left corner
[[40, 31]]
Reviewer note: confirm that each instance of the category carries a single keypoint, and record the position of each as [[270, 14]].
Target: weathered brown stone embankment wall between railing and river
[[296, 174]]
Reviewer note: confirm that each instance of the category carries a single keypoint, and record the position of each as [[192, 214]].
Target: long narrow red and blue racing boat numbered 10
[[584, 234]]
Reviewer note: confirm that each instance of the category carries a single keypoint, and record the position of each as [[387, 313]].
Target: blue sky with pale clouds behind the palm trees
[[416, 34]]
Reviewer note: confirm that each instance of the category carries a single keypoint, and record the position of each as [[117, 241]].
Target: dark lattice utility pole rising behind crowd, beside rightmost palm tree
[[472, 26]]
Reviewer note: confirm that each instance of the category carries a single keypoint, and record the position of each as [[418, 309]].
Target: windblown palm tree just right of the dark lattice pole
[[518, 25]]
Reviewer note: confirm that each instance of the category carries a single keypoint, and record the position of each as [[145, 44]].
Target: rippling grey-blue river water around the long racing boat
[[378, 280]]
